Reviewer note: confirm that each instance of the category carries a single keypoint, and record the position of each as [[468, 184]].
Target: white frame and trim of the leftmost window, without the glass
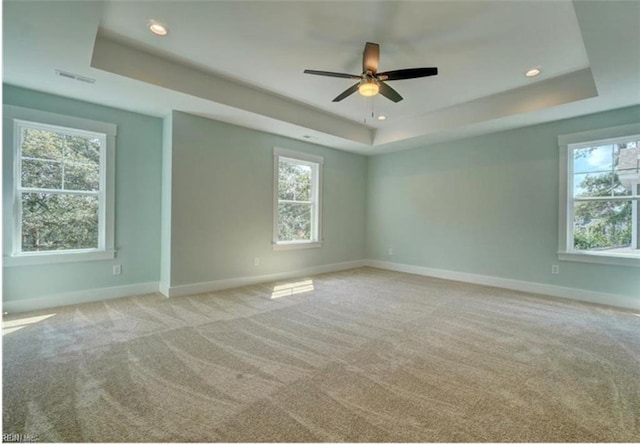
[[24, 117]]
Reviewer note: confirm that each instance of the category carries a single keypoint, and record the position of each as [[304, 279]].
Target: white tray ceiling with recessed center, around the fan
[[242, 62]]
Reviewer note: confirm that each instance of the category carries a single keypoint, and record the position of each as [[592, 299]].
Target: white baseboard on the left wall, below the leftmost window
[[78, 297]]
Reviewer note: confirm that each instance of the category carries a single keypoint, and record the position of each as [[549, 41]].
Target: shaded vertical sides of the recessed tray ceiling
[[112, 54]]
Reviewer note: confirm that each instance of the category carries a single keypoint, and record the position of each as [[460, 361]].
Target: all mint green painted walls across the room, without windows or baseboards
[[486, 205]]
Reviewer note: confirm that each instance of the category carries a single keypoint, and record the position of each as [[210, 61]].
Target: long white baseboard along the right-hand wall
[[513, 284]]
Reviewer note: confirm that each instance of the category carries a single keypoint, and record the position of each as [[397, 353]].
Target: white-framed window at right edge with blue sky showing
[[601, 177]]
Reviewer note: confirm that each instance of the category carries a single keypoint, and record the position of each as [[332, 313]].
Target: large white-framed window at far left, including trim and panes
[[62, 188]]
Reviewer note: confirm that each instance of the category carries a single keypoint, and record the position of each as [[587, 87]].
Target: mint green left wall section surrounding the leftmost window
[[137, 224]]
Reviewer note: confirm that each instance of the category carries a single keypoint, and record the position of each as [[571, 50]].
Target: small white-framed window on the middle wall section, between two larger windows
[[297, 200]]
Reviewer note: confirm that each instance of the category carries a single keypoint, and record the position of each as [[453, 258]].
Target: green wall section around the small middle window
[[222, 178]]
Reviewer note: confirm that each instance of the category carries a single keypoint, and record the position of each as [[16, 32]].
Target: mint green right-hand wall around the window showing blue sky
[[486, 205]]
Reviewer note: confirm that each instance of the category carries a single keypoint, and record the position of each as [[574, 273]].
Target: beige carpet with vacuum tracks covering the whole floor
[[361, 355]]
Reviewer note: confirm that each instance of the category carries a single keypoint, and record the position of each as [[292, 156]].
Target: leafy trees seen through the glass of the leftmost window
[[59, 189]]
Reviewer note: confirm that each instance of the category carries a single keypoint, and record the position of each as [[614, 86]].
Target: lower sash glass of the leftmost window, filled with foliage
[[59, 222]]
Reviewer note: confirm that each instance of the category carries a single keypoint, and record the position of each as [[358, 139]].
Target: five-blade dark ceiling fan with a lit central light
[[371, 82]]
